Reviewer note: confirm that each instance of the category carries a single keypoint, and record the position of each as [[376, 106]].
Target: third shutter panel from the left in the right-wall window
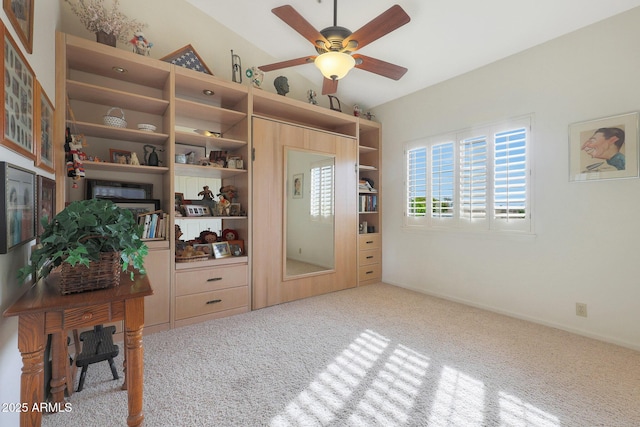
[[473, 178]]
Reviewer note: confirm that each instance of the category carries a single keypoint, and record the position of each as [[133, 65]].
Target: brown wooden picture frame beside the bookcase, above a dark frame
[[43, 132]]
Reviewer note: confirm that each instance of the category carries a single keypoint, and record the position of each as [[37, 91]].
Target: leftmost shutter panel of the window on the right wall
[[416, 183]]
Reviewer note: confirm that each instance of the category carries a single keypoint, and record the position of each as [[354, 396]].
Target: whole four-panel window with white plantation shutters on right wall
[[471, 180]]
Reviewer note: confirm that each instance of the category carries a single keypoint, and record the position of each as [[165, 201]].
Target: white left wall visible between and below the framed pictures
[[42, 61]]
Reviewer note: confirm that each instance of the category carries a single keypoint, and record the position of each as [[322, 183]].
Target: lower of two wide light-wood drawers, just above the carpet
[[211, 302]]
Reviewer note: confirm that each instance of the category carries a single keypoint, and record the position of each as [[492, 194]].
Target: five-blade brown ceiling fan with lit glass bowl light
[[335, 45]]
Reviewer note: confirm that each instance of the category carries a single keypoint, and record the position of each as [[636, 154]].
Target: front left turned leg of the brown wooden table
[[31, 343]]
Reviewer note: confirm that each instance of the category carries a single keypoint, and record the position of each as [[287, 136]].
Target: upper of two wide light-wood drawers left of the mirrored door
[[210, 279]]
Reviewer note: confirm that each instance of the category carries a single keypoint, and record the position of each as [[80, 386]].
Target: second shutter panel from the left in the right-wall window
[[442, 180]]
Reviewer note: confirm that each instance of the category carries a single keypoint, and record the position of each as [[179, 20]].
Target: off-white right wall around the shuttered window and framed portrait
[[586, 244]]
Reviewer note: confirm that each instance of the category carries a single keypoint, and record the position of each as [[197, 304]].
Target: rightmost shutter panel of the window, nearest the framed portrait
[[510, 175]]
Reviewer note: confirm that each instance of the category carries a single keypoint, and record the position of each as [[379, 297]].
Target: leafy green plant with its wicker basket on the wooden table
[[92, 240]]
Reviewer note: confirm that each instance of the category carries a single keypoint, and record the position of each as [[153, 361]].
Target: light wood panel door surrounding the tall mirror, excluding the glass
[[270, 138]]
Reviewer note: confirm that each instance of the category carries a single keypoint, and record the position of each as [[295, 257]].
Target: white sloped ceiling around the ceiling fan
[[445, 38]]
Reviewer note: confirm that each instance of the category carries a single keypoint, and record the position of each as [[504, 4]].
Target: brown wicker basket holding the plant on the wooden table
[[99, 275]]
